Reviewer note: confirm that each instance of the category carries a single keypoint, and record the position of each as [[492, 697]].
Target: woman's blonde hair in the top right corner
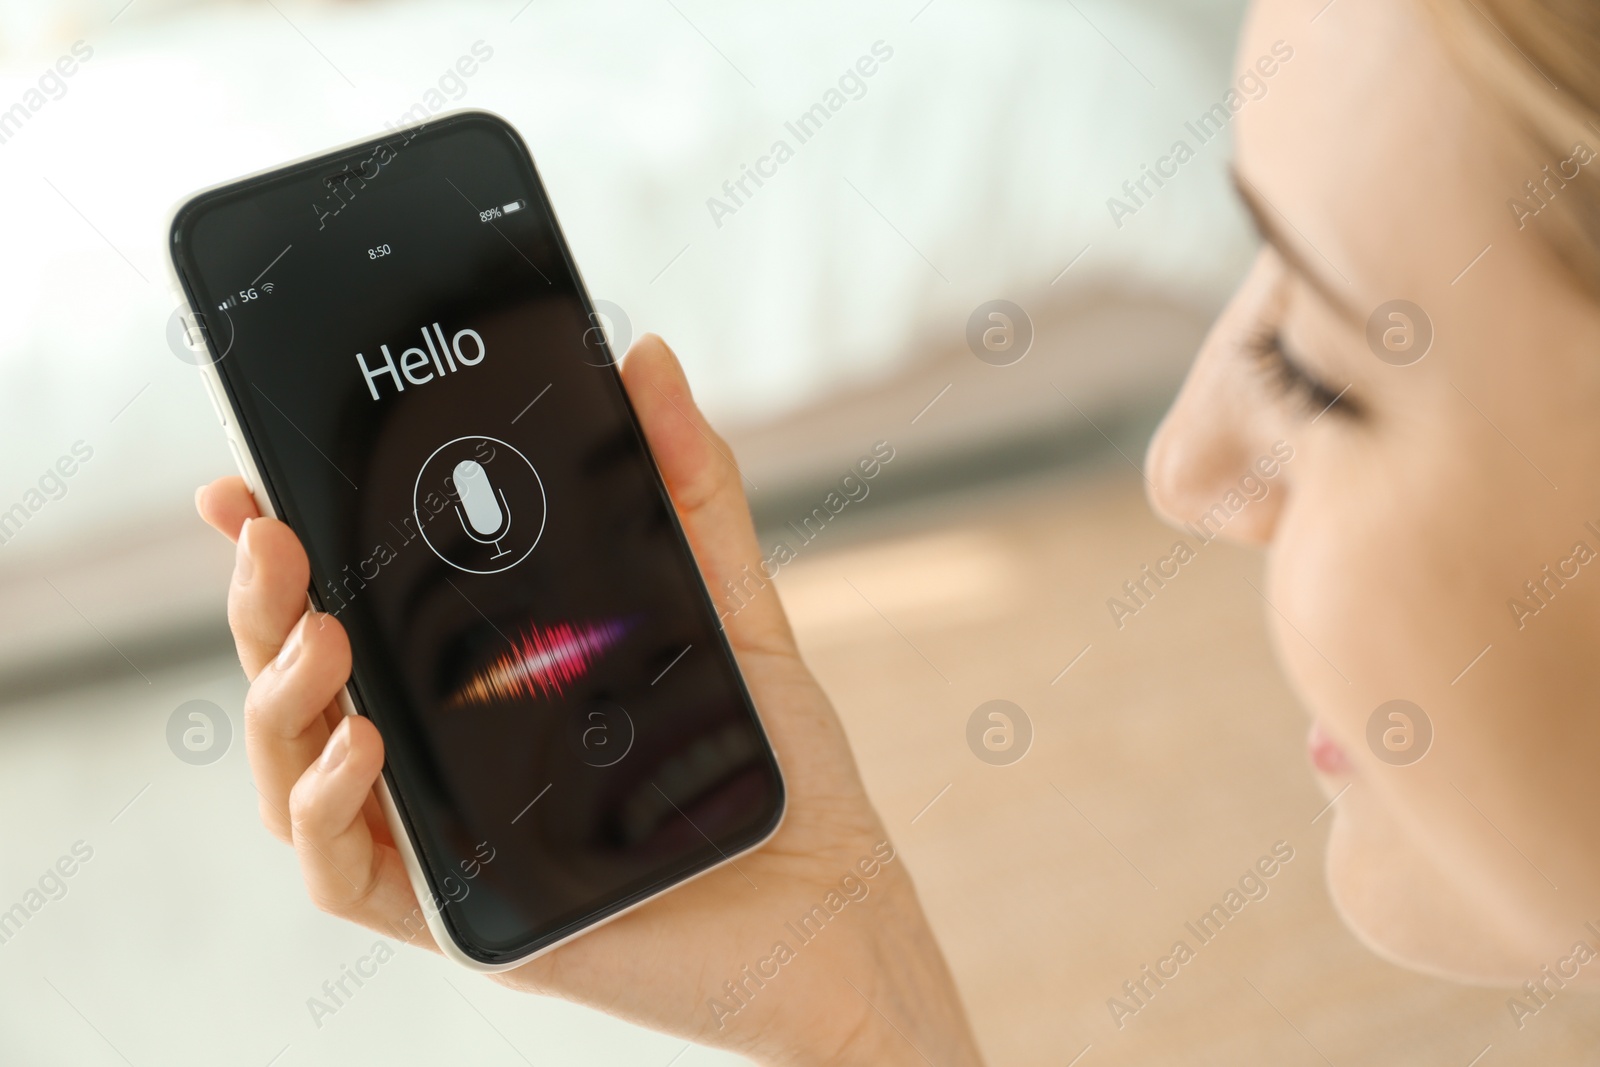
[[1540, 62]]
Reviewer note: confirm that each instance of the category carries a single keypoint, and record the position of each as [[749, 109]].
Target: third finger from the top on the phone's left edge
[[286, 713]]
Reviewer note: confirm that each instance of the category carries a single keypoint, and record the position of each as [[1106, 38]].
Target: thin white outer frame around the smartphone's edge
[[246, 460]]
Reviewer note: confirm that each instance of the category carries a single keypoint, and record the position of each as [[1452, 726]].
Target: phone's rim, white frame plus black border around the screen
[[393, 805]]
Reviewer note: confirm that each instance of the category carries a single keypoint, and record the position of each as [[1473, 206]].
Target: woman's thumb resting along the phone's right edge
[[708, 490]]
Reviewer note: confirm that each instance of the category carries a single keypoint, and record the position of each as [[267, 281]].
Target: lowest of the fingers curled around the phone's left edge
[[348, 874]]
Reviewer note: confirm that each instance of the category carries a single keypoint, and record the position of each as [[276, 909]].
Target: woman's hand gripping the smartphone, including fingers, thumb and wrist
[[871, 988]]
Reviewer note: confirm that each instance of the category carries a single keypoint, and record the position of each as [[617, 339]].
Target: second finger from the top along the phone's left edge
[[268, 594]]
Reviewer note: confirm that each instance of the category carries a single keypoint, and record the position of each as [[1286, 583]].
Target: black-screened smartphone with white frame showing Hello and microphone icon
[[412, 377]]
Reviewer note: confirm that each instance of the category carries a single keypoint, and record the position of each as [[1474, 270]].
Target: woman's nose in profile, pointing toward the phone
[[1214, 462]]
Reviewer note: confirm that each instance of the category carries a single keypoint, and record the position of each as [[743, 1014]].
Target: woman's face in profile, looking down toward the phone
[[1417, 506]]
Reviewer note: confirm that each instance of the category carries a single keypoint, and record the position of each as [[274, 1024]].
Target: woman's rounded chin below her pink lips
[[1401, 908]]
